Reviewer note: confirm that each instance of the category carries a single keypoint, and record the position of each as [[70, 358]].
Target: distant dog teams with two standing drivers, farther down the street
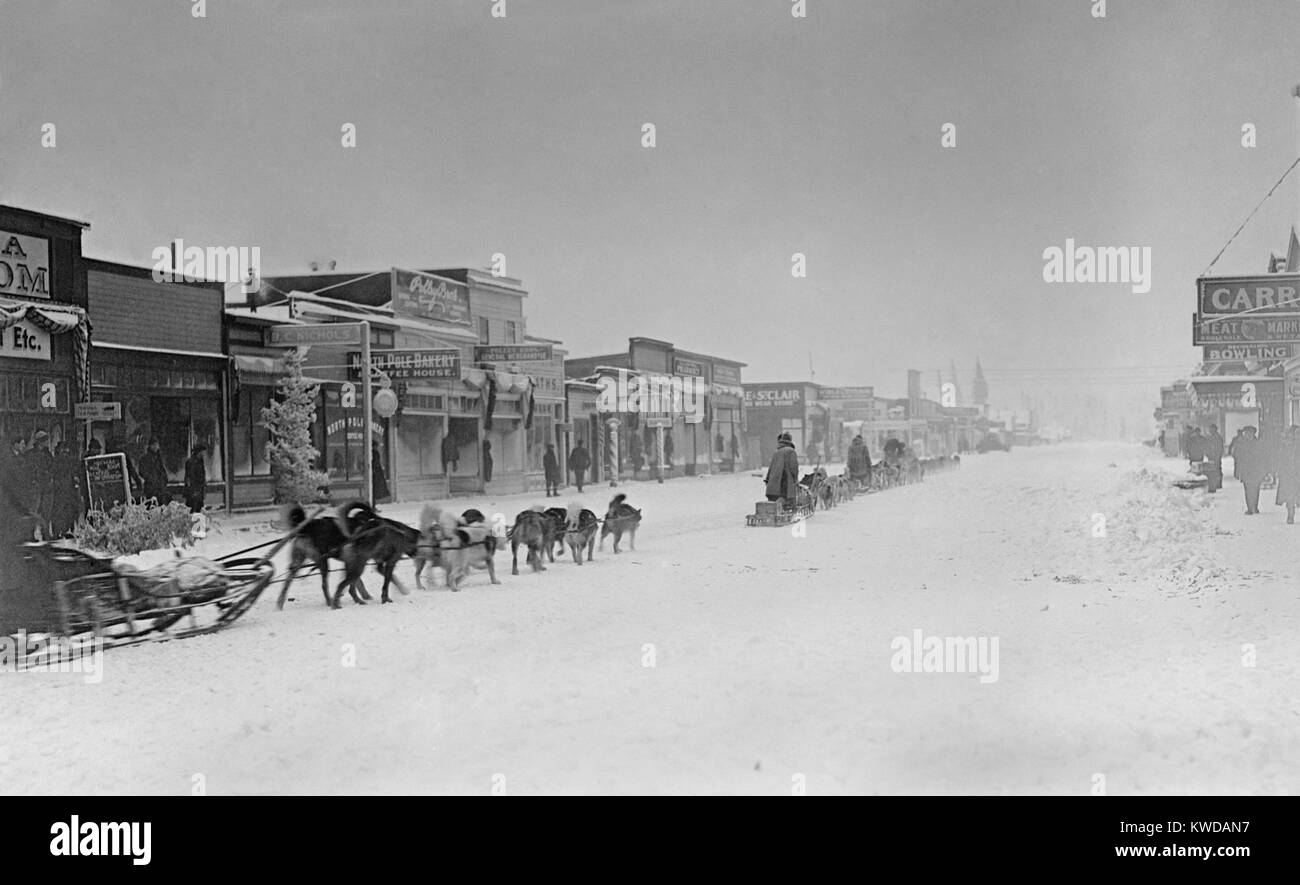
[[900, 466]]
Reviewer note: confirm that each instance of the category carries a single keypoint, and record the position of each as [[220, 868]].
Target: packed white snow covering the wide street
[[1136, 639]]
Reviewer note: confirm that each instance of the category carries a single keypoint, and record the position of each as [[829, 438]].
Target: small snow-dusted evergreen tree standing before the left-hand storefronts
[[292, 454]]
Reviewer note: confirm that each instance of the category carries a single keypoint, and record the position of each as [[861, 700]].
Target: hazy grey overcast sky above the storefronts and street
[[775, 136]]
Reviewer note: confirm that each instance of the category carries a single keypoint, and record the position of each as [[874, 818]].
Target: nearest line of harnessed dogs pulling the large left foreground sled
[[357, 535]]
